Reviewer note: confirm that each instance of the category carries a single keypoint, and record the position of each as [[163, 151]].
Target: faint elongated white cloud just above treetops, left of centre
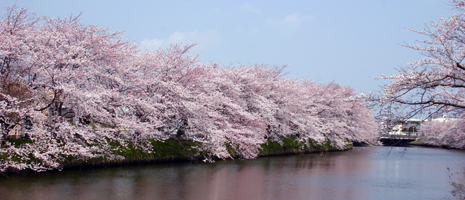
[[202, 38]]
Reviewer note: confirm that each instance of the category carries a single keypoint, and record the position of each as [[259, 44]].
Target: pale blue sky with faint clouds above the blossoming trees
[[348, 42]]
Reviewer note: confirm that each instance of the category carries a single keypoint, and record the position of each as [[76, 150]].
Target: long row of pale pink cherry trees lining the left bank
[[117, 93]]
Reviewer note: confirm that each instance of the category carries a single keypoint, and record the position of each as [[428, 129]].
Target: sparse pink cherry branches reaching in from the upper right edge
[[434, 84]]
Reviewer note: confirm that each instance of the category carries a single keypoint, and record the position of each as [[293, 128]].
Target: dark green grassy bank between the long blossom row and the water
[[173, 151]]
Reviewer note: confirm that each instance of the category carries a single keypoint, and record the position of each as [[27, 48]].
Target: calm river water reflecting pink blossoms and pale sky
[[361, 173]]
